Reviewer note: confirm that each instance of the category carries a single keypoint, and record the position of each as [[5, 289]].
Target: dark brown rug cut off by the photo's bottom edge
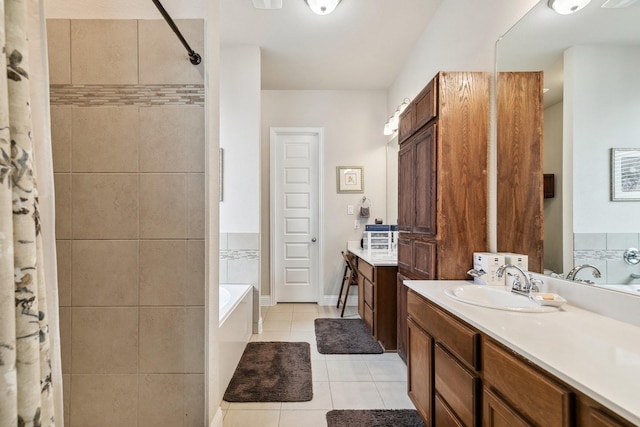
[[374, 418]]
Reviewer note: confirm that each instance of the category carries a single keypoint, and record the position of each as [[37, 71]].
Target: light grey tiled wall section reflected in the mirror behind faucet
[[604, 250]]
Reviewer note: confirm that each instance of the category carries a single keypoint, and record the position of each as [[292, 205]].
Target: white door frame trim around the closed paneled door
[[273, 134]]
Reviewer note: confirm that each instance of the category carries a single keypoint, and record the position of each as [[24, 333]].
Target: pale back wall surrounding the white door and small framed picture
[[352, 122]]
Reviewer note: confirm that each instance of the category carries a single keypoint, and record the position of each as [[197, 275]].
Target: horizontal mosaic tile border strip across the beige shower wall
[[120, 95]]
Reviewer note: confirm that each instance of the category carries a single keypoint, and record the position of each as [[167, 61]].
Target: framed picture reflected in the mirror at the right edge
[[625, 174]]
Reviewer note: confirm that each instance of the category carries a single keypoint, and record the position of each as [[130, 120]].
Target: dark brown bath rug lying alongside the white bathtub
[[272, 372]]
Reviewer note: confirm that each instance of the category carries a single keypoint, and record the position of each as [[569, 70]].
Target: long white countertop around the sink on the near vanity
[[596, 355]]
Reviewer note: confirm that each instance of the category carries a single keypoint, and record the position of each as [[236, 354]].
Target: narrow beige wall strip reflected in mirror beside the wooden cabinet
[[553, 207]]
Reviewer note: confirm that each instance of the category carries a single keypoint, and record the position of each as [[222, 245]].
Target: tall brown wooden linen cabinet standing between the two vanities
[[442, 183]]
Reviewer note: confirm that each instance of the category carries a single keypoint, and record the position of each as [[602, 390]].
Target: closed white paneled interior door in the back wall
[[295, 216]]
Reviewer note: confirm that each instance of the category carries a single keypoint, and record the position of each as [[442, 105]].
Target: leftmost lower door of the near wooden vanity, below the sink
[[420, 368]]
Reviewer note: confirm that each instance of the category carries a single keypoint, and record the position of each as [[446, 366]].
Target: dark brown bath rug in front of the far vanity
[[344, 336]]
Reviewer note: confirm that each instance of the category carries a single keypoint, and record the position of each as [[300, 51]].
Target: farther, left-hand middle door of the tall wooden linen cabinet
[[406, 164]]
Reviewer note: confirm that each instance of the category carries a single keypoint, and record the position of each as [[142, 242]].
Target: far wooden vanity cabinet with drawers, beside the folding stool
[[377, 304]]
